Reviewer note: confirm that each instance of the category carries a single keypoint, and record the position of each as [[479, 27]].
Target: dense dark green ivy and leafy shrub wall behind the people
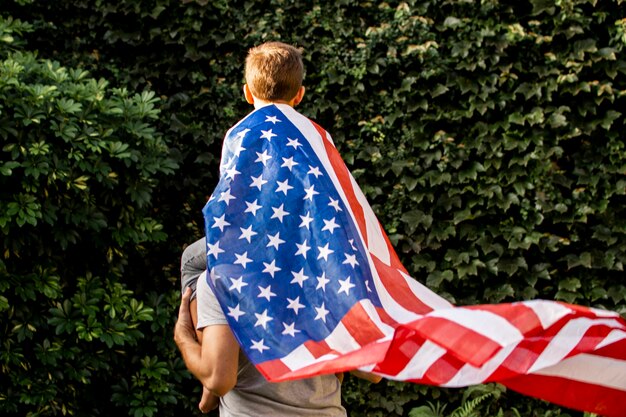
[[488, 136]]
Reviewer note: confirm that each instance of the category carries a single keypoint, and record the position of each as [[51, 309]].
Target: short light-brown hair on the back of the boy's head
[[274, 71]]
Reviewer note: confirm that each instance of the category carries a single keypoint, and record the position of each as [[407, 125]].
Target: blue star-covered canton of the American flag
[[284, 256]]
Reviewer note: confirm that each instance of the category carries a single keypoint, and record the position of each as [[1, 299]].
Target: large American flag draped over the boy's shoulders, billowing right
[[310, 284]]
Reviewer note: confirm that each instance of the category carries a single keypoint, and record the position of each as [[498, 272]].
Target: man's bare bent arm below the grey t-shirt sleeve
[[215, 361]]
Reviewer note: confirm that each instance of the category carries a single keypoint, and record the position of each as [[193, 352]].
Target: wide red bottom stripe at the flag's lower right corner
[[578, 395]]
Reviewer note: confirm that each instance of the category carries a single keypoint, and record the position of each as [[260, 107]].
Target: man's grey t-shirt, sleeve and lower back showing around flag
[[253, 395]]
